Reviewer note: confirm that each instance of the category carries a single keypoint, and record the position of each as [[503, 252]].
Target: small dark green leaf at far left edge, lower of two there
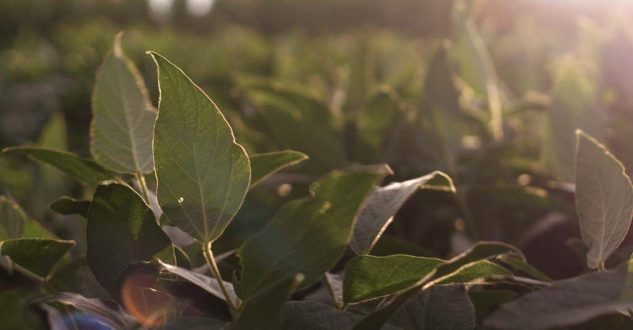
[[36, 255]]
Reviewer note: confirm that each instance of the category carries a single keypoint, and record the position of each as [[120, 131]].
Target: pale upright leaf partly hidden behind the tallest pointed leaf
[[122, 116]]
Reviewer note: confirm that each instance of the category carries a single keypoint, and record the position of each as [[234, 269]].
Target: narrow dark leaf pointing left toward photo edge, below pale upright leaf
[[84, 170]]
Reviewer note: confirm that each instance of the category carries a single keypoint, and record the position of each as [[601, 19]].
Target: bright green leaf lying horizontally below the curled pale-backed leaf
[[369, 277]]
